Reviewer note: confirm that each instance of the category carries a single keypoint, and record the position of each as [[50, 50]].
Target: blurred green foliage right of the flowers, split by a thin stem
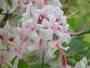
[[78, 13]]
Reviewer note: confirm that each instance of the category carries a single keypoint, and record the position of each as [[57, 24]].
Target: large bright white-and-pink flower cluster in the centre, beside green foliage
[[44, 21]]
